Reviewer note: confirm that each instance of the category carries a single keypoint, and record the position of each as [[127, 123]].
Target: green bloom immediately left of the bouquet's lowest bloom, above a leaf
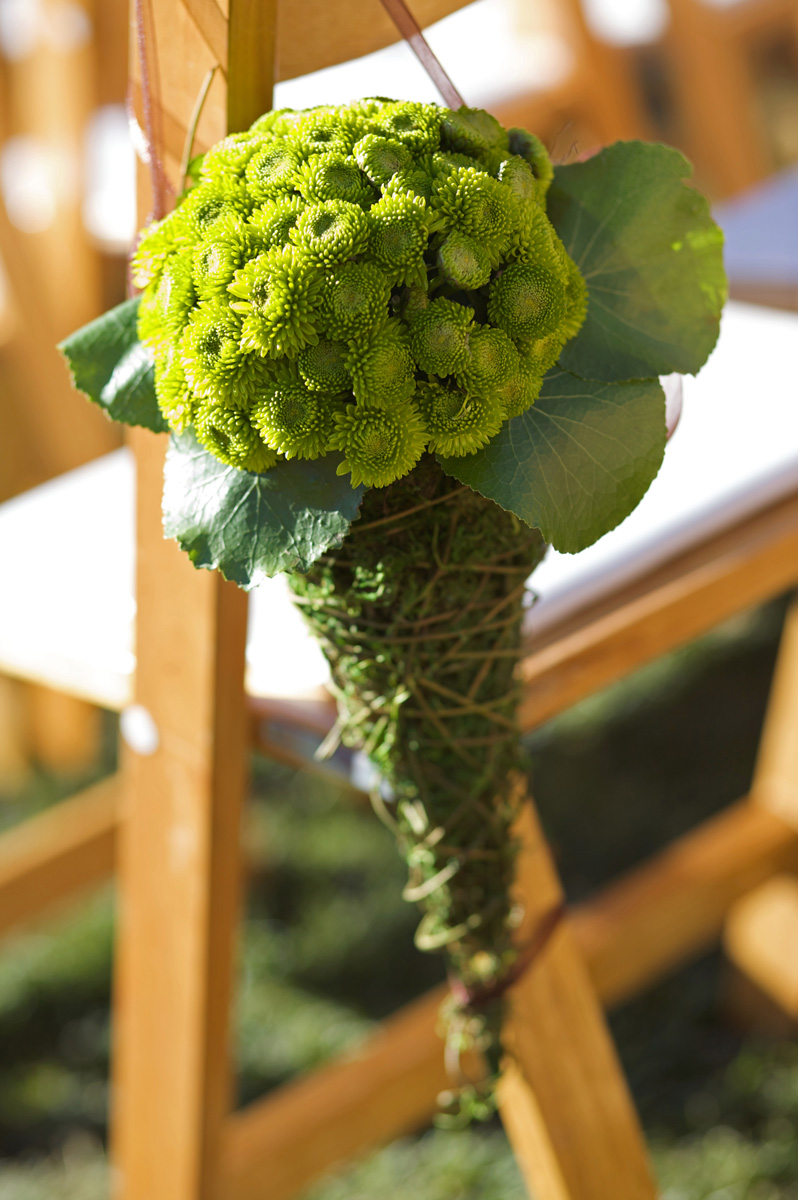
[[293, 421]]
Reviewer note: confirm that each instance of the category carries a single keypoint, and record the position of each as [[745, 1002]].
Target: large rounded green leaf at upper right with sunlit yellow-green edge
[[652, 257]]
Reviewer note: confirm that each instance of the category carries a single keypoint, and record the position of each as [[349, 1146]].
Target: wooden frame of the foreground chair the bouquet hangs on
[[170, 825]]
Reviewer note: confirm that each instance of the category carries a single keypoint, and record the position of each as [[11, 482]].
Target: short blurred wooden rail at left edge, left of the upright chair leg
[[56, 857]]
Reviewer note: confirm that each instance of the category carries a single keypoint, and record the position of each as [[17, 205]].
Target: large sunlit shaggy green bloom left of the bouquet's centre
[[280, 298]]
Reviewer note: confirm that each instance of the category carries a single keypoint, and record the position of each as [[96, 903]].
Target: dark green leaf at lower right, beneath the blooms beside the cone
[[578, 463]]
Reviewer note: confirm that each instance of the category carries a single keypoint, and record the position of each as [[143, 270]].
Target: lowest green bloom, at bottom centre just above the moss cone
[[380, 445]]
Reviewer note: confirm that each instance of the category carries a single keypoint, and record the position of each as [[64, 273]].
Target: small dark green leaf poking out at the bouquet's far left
[[115, 370]]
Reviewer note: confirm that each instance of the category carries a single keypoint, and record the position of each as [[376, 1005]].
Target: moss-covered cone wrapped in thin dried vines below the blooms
[[419, 614]]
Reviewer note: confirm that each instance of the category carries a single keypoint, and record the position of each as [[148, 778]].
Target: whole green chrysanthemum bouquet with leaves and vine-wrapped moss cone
[[398, 353]]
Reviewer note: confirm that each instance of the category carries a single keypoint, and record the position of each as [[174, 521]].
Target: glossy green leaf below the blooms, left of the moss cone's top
[[254, 526]]
